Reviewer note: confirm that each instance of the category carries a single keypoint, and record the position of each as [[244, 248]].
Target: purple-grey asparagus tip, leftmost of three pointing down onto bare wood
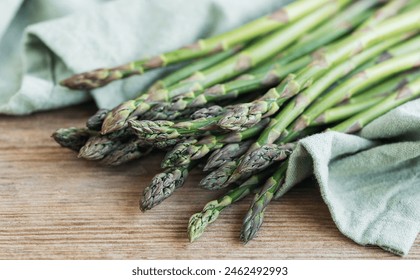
[[163, 185]]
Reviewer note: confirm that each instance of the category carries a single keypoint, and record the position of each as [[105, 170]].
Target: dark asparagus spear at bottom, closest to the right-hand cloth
[[255, 215]]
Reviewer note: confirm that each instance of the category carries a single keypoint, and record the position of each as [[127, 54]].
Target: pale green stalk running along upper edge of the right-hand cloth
[[405, 94]]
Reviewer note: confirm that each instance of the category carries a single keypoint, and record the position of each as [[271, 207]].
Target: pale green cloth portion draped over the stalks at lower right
[[371, 187]]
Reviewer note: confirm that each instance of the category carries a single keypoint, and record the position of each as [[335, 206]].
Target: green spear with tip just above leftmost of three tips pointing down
[[193, 149]]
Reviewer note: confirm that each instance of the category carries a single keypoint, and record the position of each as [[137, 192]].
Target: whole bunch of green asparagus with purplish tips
[[247, 96]]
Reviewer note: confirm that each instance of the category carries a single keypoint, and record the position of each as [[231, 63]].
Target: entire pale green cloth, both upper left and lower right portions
[[372, 189]]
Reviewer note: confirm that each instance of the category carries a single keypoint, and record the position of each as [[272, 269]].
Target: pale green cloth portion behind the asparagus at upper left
[[99, 36]]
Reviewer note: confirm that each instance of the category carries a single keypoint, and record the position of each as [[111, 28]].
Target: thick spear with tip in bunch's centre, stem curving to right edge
[[248, 114]]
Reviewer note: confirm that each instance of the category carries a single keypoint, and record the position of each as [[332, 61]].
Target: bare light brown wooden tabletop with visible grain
[[56, 206]]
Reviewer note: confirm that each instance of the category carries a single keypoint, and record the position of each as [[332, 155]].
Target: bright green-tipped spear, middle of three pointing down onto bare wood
[[199, 221]]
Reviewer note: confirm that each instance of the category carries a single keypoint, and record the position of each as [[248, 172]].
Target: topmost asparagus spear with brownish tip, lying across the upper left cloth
[[224, 41]]
